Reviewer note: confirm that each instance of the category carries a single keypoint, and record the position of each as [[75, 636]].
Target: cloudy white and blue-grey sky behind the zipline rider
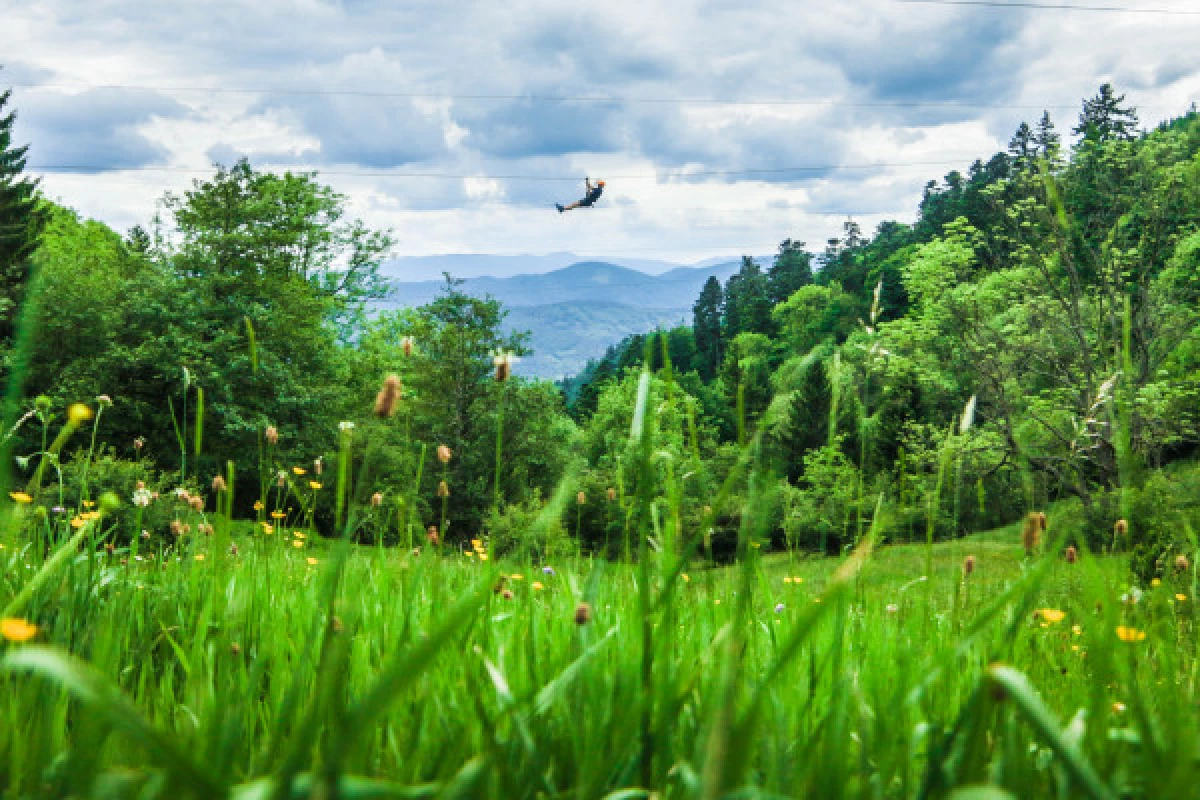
[[722, 127]]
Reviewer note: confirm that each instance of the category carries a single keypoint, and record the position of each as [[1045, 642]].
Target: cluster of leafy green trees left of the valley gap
[[235, 330]]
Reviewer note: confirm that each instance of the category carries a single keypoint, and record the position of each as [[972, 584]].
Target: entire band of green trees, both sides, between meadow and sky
[[1031, 338]]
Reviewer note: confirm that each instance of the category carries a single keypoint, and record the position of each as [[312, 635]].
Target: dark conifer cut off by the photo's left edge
[[21, 222]]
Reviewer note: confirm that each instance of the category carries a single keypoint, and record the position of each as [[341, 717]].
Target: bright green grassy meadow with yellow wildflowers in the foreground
[[296, 669]]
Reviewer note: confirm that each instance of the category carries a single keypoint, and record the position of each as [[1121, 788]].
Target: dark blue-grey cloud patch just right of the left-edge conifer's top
[[95, 130]]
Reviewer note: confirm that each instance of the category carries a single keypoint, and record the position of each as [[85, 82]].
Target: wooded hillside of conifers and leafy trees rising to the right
[[1031, 338]]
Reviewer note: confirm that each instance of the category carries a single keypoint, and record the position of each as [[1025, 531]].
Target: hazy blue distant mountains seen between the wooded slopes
[[575, 312]]
